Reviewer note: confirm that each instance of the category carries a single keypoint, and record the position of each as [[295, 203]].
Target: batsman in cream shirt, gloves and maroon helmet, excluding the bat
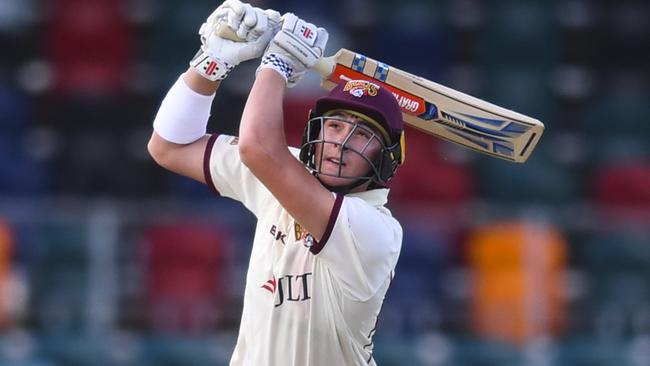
[[325, 247]]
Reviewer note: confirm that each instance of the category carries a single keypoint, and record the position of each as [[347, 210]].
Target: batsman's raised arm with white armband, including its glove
[[179, 139]]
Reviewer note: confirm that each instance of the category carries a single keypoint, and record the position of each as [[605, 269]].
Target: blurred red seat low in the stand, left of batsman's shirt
[[187, 267]]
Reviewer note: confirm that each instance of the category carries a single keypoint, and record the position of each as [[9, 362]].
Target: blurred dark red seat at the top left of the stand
[[89, 46]]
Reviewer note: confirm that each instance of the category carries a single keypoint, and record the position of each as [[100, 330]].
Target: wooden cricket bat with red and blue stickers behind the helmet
[[441, 111]]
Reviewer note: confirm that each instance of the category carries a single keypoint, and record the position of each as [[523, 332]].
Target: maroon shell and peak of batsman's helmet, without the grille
[[367, 98]]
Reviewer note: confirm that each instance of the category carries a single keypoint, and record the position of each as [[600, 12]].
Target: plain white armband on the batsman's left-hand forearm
[[183, 115]]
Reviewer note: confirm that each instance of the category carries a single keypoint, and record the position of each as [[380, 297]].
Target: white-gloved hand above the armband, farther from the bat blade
[[252, 29]]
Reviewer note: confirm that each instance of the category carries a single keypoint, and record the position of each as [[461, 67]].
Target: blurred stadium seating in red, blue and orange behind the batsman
[[106, 259]]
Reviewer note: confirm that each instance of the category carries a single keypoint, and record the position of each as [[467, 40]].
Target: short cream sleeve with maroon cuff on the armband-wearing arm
[[229, 177]]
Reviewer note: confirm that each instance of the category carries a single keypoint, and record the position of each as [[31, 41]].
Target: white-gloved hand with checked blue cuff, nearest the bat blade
[[296, 48]]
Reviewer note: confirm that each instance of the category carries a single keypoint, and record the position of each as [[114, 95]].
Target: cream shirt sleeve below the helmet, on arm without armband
[[361, 246]]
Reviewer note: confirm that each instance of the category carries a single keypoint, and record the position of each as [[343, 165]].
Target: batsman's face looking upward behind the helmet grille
[[348, 140]]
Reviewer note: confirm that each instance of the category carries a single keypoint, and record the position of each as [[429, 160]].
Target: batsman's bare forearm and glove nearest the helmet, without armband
[[262, 144]]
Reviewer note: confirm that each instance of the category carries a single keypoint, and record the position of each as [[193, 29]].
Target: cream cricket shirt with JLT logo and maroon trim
[[306, 302]]
